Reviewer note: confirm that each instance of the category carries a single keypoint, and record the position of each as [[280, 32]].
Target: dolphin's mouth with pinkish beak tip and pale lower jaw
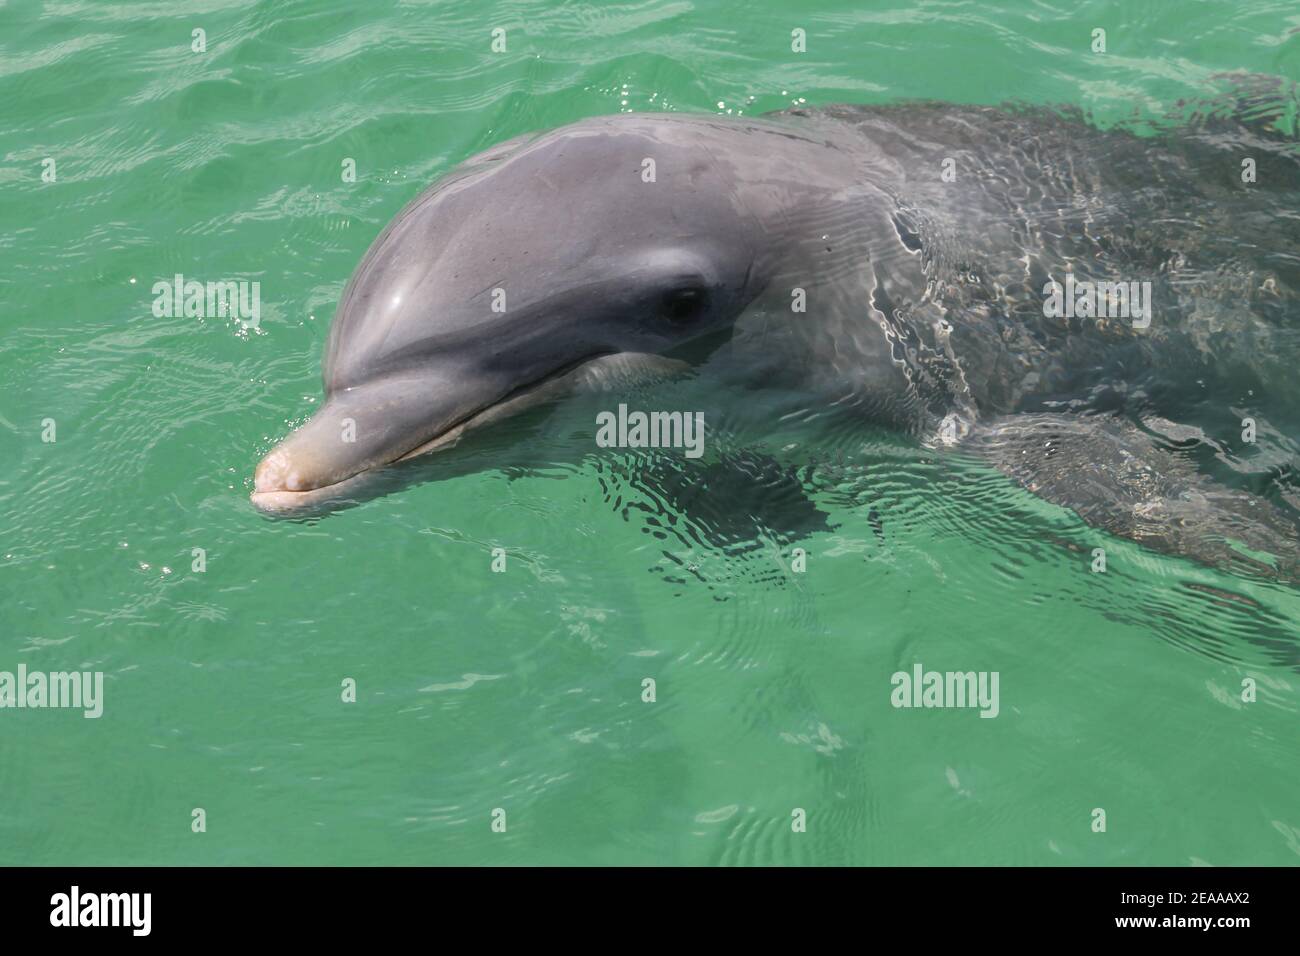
[[276, 477]]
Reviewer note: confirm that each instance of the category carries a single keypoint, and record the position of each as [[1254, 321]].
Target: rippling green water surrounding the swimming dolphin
[[523, 691]]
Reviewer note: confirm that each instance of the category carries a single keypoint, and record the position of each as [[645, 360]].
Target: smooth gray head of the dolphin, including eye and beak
[[522, 270]]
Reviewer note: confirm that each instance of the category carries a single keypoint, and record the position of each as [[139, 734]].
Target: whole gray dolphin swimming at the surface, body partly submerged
[[890, 262]]
